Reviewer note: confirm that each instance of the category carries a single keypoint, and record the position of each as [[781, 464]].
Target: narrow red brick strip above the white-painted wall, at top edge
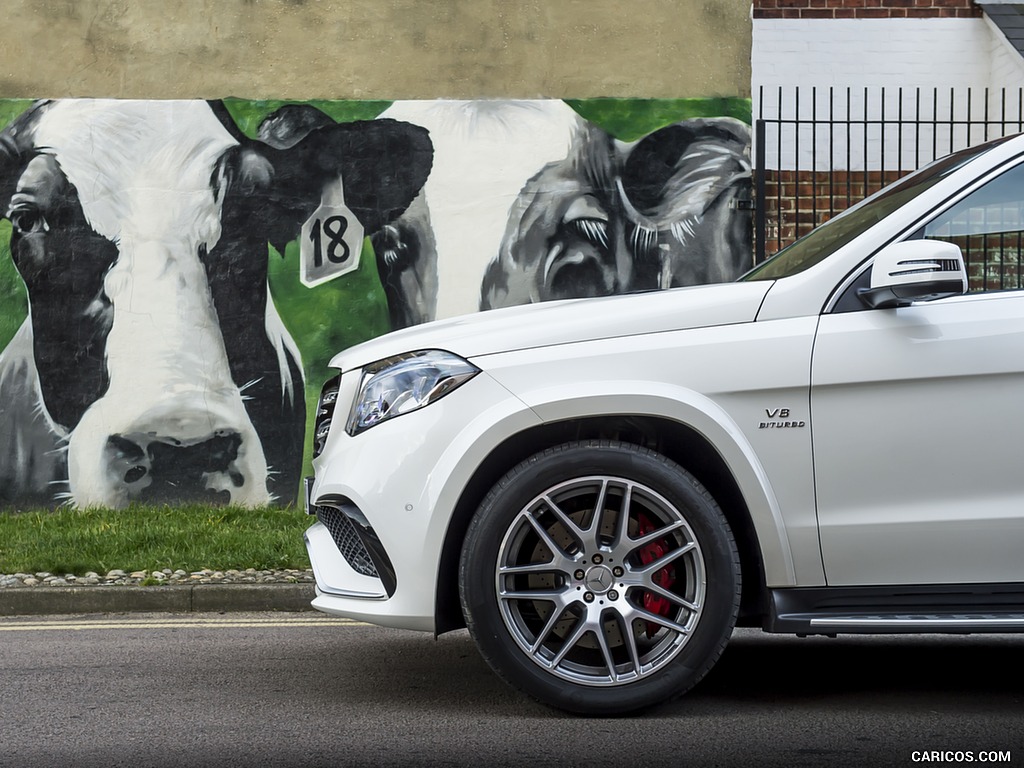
[[866, 10]]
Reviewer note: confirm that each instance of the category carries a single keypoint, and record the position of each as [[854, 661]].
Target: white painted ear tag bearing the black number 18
[[331, 240]]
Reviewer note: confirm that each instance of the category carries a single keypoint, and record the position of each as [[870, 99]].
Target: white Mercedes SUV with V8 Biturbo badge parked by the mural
[[602, 489]]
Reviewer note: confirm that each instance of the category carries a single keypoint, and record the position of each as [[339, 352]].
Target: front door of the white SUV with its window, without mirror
[[918, 416]]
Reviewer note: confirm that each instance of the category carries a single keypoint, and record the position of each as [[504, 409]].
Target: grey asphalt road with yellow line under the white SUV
[[302, 690]]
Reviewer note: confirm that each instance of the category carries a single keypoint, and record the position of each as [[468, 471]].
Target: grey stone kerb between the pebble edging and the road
[[169, 600]]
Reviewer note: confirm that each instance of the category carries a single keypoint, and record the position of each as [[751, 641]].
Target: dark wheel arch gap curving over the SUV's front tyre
[[677, 442]]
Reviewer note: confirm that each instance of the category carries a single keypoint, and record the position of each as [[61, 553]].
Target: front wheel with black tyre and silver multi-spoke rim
[[600, 617]]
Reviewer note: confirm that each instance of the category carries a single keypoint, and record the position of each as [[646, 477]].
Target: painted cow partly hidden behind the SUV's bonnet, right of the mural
[[529, 202]]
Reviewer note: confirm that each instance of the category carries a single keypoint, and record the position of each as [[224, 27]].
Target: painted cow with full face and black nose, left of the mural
[[154, 365]]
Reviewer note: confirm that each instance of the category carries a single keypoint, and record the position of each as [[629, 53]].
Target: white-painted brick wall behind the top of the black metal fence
[[883, 56]]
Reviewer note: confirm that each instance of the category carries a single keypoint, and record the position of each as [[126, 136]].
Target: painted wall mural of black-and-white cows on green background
[[175, 276]]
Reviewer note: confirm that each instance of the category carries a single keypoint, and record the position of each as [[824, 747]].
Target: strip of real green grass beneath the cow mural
[[149, 538]]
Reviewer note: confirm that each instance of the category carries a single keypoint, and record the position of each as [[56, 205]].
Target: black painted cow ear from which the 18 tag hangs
[[383, 164]]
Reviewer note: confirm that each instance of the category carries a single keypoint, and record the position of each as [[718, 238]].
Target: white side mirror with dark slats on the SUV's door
[[915, 271]]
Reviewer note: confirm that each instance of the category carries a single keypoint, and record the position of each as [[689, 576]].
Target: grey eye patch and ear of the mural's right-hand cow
[[619, 218]]
